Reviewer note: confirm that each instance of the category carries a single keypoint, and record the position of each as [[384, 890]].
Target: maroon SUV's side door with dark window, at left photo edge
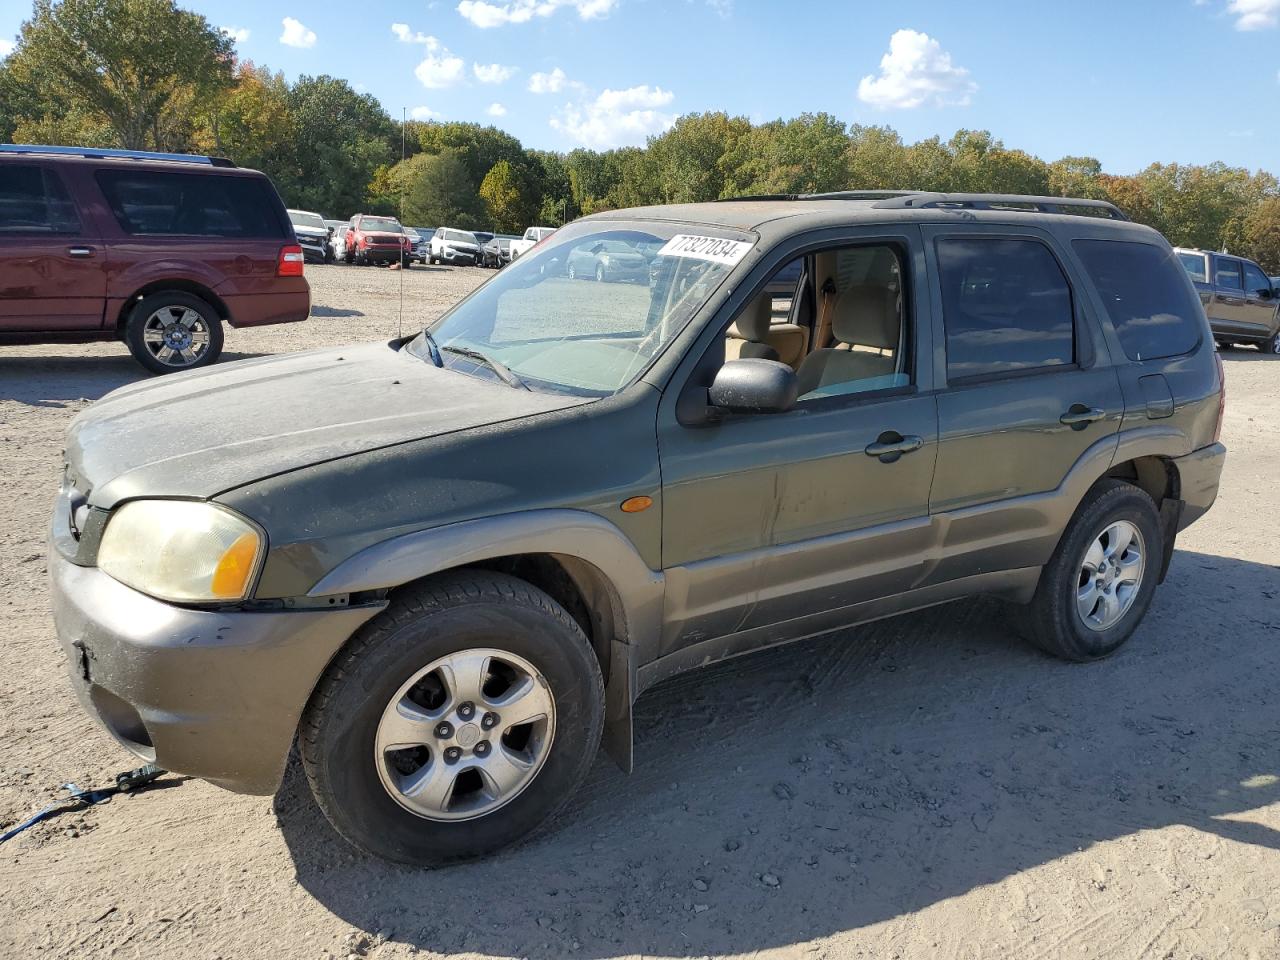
[[53, 276]]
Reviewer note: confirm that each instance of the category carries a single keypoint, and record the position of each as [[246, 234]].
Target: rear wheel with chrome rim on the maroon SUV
[[193, 323]]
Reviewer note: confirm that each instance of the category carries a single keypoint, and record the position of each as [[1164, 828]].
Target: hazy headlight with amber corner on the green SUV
[[182, 551]]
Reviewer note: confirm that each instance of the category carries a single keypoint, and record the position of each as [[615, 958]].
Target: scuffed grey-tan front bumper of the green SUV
[[214, 694]]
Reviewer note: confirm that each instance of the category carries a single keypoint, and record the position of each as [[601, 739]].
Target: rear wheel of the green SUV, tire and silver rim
[[1098, 586]]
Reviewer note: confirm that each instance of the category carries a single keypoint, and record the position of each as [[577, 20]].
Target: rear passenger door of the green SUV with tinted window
[[1026, 394]]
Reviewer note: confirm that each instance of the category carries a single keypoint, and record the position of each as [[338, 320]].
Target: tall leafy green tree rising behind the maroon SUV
[[140, 70]]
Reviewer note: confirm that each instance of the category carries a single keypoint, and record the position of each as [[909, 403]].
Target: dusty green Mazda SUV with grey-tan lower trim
[[446, 566]]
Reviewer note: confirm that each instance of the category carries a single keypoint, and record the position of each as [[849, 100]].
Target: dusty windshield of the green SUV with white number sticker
[[556, 327]]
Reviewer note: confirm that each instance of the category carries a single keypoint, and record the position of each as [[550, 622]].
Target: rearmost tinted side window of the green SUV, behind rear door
[[1150, 305]]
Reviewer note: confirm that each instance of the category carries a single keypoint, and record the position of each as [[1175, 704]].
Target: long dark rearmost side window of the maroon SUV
[[193, 205]]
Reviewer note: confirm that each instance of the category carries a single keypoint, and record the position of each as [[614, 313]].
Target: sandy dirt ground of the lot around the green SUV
[[922, 788]]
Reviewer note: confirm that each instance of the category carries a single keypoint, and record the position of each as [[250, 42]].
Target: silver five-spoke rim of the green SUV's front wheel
[[465, 735]]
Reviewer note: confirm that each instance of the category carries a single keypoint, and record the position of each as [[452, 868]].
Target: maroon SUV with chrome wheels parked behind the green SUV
[[158, 250]]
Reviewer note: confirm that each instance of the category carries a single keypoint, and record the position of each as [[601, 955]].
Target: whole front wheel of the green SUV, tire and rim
[[456, 723]]
